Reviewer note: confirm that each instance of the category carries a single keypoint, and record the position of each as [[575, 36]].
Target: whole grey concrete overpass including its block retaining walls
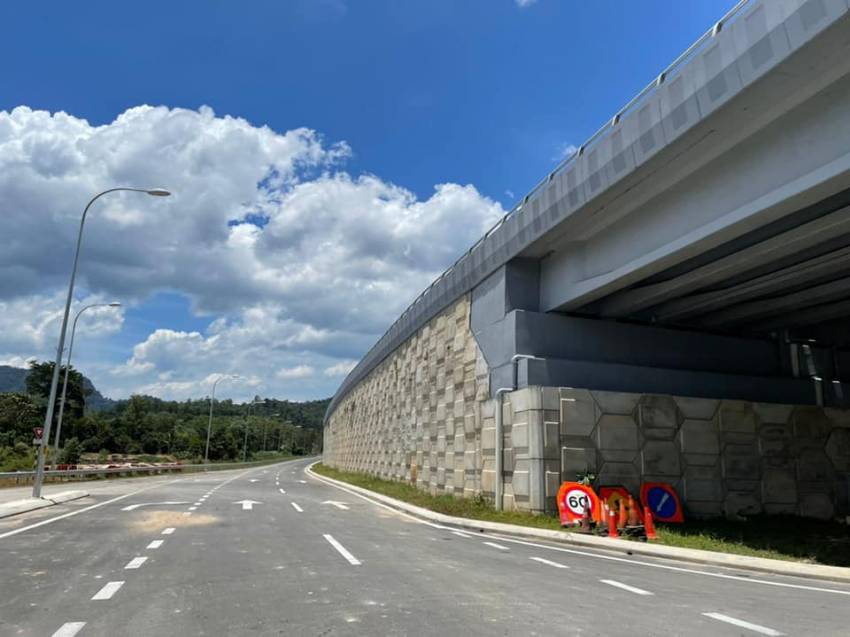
[[669, 303]]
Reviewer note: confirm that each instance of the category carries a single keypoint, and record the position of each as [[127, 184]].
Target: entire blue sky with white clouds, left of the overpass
[[327, 158]]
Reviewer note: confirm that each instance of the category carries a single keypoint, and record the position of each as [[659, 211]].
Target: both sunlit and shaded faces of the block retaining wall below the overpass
[[424, 416]]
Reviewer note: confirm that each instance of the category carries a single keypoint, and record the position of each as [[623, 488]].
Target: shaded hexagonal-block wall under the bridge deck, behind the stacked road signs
[[725, 457]]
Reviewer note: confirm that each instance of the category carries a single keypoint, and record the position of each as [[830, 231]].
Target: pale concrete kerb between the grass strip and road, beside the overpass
[[623, 547]]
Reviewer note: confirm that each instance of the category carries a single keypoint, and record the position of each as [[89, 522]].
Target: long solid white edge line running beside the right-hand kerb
[[613, 558]]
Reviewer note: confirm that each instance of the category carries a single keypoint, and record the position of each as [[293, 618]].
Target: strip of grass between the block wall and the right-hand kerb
[[776, 537]]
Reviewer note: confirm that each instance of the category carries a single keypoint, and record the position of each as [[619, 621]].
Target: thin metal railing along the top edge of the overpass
[[373, 356]]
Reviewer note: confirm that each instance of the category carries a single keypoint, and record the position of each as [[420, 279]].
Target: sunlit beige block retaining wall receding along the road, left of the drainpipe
[[418, 416]]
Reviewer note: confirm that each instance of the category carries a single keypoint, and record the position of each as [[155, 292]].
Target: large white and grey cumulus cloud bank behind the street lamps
[[297, 263]]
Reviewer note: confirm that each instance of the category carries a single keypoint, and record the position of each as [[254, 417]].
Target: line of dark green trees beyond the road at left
[[144, 425]]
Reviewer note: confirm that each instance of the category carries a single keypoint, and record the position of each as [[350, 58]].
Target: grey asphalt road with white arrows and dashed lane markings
[[273, 551]]
